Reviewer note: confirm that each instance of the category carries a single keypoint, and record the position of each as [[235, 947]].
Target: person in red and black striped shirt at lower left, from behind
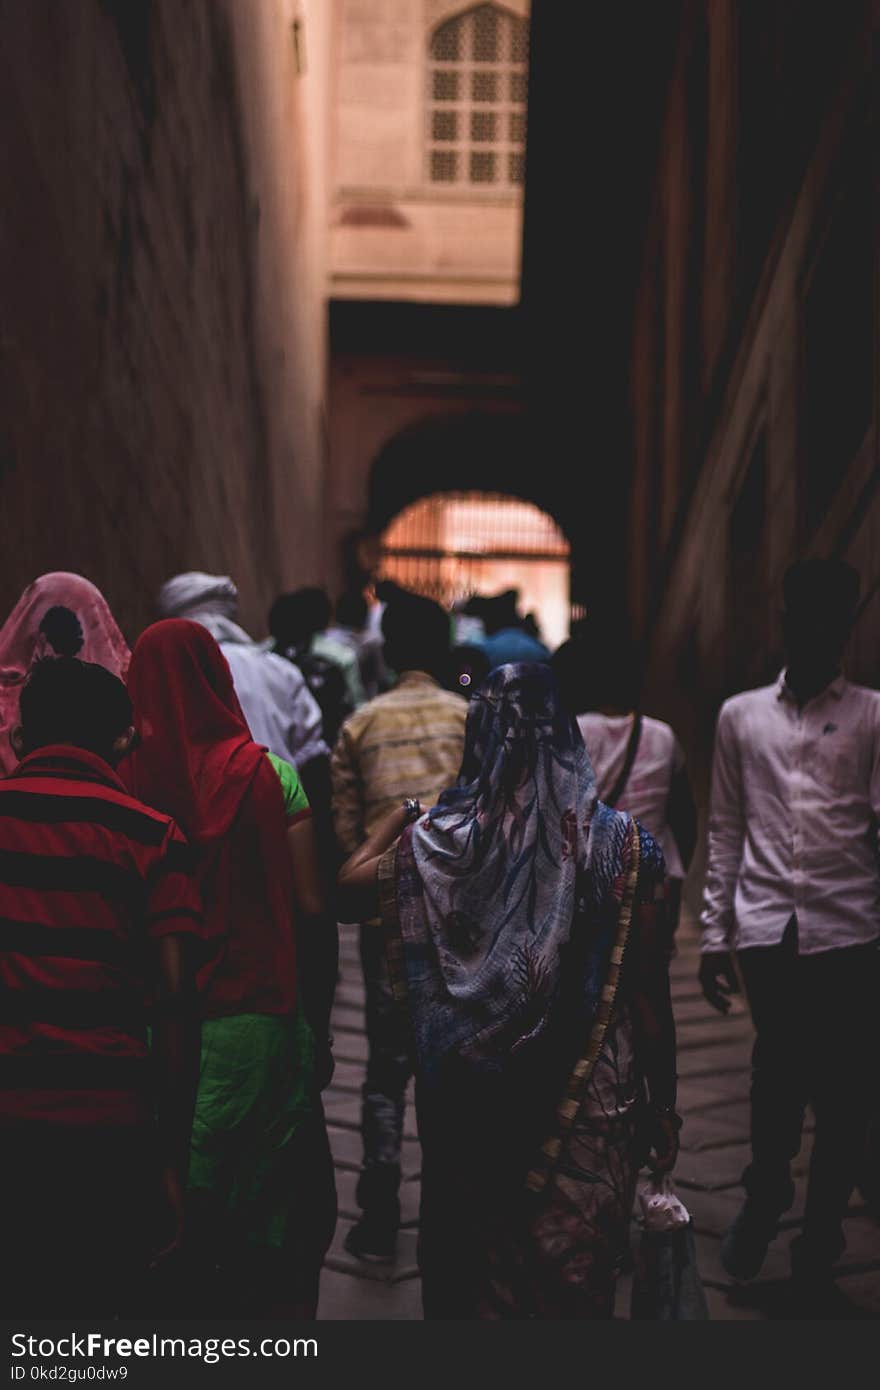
[[99, 922]]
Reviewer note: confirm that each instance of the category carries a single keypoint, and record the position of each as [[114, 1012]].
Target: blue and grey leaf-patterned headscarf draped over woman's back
[[484, 890]]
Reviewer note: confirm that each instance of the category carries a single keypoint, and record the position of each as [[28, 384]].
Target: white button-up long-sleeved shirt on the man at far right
[[793, 819]]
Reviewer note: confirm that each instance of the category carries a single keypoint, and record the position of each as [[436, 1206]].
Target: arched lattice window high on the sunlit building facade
[[478, 81]]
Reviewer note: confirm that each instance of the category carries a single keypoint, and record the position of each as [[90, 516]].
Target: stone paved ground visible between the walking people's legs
[[714, 1058]]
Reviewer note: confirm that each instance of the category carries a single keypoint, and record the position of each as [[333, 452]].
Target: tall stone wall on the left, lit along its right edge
[[162, 372]]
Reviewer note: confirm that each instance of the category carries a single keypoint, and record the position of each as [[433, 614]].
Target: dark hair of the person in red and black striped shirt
[[67, 701]]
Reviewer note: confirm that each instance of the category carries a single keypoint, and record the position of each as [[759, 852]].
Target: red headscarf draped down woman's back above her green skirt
[[199, 764]]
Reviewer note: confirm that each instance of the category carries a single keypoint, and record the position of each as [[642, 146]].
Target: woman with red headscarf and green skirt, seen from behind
[[261, 1181]]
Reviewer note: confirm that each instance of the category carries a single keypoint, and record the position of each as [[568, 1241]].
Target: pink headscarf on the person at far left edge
[[23, 643]]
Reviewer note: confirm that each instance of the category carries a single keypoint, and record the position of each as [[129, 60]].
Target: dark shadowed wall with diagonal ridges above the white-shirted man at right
[[756, 370]]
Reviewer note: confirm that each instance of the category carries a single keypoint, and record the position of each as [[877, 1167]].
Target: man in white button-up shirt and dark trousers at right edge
[[793, 886]]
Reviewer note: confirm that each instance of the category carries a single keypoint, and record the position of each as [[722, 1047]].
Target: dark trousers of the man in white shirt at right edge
[[815, 1025]]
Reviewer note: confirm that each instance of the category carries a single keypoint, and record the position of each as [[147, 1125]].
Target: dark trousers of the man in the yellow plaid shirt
[[389, 1072]]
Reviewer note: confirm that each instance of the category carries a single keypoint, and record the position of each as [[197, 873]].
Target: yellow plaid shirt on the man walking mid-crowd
[[408, 743]]
